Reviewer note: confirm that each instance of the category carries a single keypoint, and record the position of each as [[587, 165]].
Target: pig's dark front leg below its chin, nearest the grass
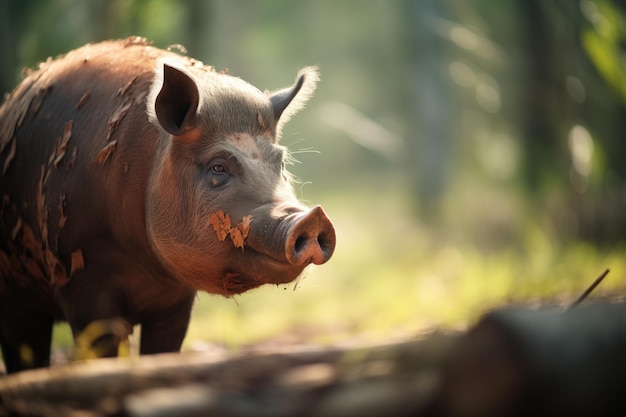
[[166, 331]]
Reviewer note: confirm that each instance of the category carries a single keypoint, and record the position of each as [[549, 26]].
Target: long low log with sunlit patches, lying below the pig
[[393, 380]]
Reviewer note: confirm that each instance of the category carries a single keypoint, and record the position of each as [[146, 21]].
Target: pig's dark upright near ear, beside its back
[[173, 101]]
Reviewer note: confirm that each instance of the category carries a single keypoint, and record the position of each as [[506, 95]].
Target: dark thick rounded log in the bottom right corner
[[547, 362]]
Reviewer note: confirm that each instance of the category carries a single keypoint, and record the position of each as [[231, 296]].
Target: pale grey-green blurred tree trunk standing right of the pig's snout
[[429, 107]]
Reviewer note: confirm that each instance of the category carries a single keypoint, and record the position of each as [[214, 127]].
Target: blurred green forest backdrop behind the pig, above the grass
[[518, 95]]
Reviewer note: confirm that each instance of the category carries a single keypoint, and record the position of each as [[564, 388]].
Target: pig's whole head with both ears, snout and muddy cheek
[[221, 212]]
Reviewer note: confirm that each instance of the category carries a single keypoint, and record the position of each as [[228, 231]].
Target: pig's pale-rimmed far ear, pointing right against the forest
[[289, 101]]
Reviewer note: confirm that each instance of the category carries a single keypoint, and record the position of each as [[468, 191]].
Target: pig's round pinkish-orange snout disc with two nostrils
[[310, 239]]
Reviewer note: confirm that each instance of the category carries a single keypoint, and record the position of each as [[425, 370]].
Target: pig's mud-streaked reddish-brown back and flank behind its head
[[76, 151]]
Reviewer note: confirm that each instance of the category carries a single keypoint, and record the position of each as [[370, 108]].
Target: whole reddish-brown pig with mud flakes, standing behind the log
[[133, 177]]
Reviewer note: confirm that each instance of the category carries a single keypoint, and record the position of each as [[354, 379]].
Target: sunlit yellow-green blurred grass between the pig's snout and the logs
[[393, 276]]
